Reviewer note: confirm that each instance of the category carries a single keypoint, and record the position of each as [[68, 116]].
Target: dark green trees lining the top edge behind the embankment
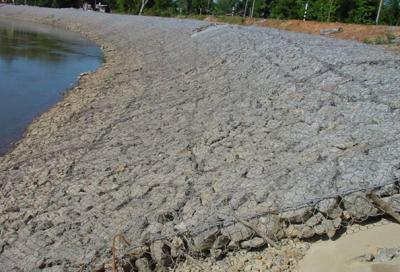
[[349, 11]]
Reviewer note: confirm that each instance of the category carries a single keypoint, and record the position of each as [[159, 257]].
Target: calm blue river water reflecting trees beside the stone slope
[[37, 63]]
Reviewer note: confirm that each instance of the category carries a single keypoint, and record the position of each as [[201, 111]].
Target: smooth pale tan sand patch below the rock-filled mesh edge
[[342, 255]]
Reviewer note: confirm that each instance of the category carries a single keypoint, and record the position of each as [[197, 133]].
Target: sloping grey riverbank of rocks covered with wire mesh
[[188, 123]]
